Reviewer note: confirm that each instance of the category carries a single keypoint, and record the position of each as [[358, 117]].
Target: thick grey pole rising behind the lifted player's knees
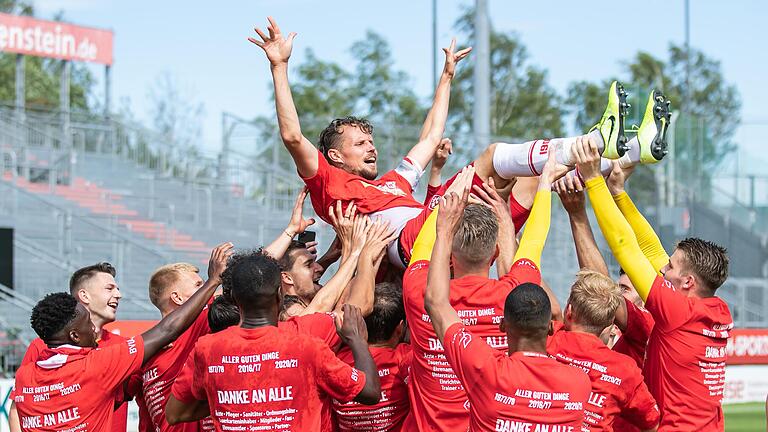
[[481, 121]]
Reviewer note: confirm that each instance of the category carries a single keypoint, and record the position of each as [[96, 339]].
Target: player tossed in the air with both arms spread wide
[[344, 168]]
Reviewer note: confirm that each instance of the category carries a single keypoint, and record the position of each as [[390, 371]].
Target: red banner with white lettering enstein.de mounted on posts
[[30, 36]]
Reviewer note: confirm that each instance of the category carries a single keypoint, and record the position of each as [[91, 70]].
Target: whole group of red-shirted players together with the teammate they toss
[[410, 333]]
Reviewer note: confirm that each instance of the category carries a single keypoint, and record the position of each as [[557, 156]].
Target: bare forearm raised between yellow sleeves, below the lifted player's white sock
[[571, 192]]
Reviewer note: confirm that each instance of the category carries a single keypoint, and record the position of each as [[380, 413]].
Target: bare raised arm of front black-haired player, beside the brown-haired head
[[437, 295]]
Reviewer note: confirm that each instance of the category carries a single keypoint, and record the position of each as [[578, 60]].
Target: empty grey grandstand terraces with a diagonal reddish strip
[[114, 211]]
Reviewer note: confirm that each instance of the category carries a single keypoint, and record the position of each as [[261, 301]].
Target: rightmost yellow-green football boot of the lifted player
[[652, 134]]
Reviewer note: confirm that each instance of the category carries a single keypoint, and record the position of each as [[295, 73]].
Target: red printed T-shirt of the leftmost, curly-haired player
[[73, 388]]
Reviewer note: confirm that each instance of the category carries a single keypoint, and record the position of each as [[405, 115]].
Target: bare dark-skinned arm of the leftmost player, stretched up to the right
[[176, 322]]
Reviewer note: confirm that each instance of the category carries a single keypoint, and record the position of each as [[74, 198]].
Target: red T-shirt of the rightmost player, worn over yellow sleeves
[[685, 363]]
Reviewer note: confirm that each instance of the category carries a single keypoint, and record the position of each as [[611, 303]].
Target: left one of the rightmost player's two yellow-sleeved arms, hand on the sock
[[616, 230]]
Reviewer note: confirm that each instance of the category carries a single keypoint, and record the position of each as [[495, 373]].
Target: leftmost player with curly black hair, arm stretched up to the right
[[72, 383]]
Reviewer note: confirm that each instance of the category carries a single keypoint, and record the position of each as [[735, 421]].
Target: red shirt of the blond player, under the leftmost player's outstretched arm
[[158, 374]]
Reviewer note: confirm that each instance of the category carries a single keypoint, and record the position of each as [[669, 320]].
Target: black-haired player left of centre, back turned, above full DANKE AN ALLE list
[[262, 375]]
